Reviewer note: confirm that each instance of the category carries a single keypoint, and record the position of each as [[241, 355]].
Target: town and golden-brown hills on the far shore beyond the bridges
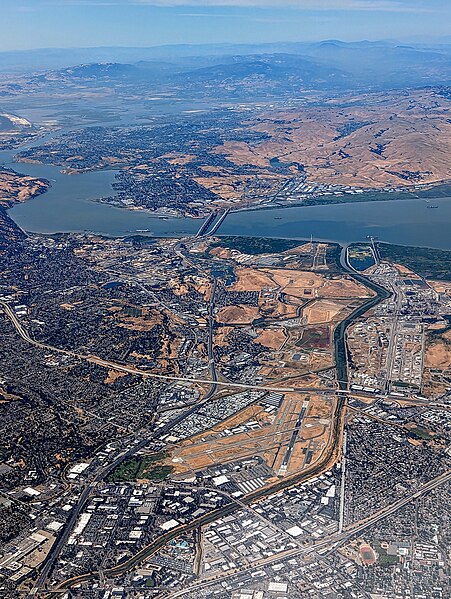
[[249, 156]]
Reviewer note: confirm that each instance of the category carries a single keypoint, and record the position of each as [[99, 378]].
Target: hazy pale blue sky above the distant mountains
[[63, 23]]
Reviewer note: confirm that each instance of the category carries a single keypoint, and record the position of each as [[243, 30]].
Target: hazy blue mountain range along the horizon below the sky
[[281, 67]]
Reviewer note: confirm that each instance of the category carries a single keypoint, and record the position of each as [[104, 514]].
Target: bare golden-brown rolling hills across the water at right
[[413, 130]]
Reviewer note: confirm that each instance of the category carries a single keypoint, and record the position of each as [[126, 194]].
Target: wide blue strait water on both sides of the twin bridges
[[68, 206]]
